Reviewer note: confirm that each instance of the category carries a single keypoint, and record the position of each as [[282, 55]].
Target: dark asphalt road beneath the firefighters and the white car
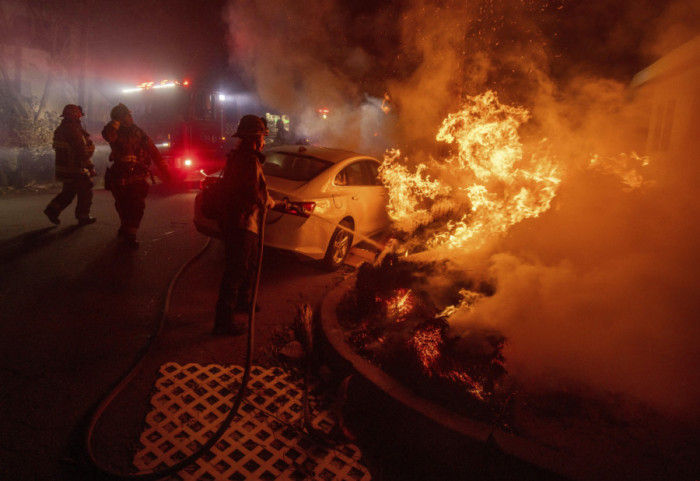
[[77, 308]]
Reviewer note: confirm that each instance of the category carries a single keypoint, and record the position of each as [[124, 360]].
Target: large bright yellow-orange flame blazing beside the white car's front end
[[490, 177]]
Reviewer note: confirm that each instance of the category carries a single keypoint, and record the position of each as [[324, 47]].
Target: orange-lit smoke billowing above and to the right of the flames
[[600, 290]]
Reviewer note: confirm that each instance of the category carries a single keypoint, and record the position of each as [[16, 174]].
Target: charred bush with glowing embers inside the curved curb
[[397, 319]]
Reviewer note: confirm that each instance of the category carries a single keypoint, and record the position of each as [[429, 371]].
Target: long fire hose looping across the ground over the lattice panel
[[238, 400]]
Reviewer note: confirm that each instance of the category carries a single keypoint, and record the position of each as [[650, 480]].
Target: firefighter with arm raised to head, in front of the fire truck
[[132, 154]]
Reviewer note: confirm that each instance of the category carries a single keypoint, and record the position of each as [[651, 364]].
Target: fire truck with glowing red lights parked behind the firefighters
[[185, 121]]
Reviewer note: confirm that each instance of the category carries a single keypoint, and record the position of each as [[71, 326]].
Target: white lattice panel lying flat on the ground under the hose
[[264, 442]]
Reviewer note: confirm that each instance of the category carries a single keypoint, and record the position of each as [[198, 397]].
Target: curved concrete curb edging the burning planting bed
[[532, 453]]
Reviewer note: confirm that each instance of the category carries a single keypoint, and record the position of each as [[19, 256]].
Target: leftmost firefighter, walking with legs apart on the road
[[74, 168]]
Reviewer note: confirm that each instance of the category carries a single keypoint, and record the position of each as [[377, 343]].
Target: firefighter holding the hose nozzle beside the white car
[[245, 185]]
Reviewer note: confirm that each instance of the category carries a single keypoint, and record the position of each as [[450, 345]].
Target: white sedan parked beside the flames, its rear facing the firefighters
[[335, 201]]
